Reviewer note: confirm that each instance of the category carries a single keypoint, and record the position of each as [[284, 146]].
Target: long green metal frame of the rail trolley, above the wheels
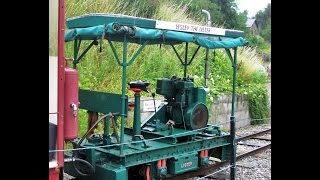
[[139, 155]]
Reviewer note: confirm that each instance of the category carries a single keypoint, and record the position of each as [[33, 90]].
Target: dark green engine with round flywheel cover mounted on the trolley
[[183, 103]]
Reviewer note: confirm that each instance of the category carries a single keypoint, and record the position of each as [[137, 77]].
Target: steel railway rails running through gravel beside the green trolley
[[212, 168]]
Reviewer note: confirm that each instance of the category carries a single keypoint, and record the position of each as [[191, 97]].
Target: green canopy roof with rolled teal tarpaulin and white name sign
[[114, 28]]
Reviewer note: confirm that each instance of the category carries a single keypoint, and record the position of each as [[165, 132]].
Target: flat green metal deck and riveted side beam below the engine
[[134, 155]]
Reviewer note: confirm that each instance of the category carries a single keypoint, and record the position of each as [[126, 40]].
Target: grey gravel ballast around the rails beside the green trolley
[[250, 168]]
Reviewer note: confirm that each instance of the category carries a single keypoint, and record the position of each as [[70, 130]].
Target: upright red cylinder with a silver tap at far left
[[71, 104]]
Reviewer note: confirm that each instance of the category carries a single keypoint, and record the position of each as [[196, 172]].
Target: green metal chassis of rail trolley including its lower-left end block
[[108, 161]]
